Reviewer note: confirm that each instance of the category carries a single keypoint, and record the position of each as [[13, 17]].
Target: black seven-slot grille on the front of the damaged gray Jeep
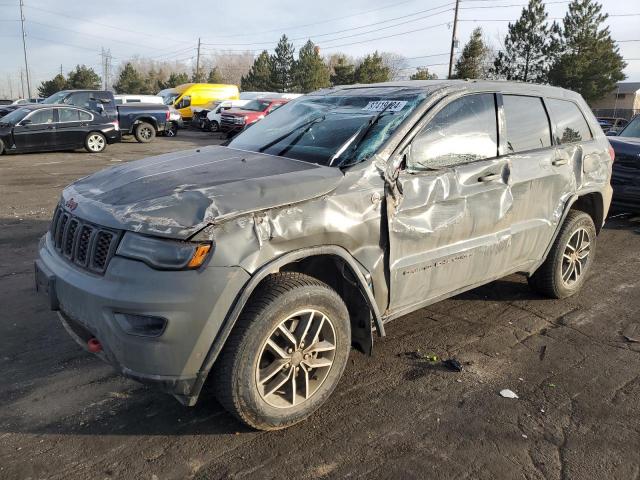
[[85, 244]]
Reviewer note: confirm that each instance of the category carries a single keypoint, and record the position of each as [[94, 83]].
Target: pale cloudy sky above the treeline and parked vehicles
[[69, 32]]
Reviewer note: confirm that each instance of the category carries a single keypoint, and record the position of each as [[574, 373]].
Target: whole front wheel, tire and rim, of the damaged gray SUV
[[286, 353]]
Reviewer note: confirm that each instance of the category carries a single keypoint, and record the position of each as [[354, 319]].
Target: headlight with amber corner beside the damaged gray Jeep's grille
[[162, 253]]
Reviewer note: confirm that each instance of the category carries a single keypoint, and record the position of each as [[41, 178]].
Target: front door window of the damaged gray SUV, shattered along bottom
[[464, 131]]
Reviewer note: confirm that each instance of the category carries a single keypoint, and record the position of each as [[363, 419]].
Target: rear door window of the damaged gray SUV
[[527, 125]]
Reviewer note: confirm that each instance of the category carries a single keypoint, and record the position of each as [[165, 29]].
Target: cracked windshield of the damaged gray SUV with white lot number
[[335, 130]]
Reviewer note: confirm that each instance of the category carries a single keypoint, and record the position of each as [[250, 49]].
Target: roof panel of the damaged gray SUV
[[429, 86]]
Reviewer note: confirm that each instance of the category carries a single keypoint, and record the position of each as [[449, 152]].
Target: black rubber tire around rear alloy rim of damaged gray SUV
[[548, 278]]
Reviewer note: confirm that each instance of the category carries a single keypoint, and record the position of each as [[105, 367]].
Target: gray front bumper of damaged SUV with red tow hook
[[195, 304]]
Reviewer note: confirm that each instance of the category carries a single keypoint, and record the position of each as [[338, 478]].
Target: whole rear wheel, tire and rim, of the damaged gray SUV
[[565, 270]]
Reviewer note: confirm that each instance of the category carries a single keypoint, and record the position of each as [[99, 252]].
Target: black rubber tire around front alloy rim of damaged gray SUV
[[236, 372]]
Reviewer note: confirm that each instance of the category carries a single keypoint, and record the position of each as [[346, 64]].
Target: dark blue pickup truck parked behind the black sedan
[[144, 121]]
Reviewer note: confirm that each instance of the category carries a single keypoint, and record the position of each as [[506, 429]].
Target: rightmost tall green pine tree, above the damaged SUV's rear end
[[588, 61]]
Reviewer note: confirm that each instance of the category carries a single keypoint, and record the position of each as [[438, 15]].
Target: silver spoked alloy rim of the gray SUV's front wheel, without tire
[[296, 359]]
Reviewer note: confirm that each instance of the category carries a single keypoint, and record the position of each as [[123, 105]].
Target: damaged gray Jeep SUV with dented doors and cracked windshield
[[257, 266]]
